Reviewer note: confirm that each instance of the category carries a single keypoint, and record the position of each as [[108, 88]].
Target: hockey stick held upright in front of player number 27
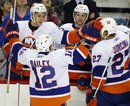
[[102, 76]]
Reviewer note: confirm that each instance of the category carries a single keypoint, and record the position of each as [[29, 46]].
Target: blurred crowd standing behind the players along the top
[[59, 11]]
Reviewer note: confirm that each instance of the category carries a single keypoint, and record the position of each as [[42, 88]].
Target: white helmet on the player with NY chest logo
[[37, 7]]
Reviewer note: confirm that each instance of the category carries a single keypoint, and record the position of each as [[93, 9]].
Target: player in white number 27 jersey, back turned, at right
[[110, 81]]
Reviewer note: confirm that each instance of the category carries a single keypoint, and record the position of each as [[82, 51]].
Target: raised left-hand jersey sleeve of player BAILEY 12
[[16, 51]]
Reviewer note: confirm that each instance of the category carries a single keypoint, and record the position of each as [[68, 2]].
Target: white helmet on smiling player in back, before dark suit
[[81, 8]]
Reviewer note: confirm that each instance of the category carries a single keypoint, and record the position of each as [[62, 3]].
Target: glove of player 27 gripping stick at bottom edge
[[90, 101]]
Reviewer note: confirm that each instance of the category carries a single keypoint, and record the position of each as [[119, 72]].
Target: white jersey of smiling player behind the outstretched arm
[[76, 70]]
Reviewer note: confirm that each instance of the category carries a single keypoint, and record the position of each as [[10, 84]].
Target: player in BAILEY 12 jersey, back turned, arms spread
[[49, 81]]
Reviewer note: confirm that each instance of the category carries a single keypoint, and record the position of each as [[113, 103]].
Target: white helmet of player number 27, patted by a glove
[[109, 27]]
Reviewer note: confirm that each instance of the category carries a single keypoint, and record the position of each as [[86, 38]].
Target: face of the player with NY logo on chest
[[39, 18]]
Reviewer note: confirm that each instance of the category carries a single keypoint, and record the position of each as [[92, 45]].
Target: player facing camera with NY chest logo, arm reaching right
[[38, 26]]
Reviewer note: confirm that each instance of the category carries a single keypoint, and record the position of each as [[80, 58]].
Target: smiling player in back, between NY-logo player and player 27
[[78, 74]]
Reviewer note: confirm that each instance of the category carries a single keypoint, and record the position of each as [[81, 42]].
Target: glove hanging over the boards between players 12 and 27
[[83, 82]]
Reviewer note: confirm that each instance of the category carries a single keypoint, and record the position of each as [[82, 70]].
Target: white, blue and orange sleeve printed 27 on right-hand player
[[100, 60]]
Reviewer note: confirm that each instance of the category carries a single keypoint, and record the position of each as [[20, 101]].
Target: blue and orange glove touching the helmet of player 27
[[91, 31]]
